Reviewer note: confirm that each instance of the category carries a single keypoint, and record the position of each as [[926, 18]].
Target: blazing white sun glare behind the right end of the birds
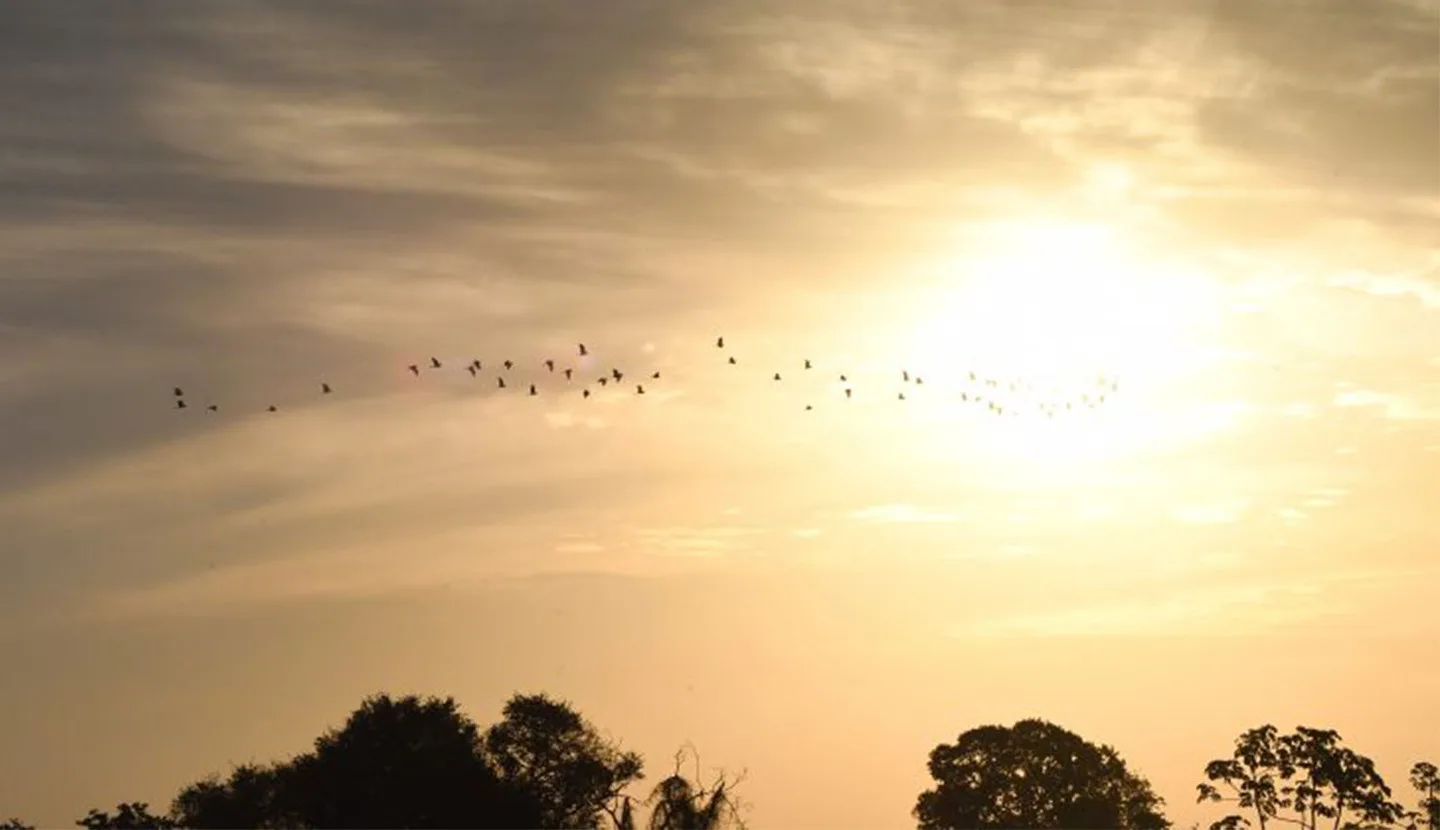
[[1058, 315]]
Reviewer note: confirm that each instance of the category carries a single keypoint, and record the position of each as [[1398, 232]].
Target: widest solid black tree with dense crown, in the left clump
[[401, 763]]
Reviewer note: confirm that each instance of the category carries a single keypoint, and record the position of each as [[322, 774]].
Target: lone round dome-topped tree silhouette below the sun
[[1035, 775]]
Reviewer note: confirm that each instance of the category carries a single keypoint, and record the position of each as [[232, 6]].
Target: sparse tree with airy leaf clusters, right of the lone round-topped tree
[[1307, 773]]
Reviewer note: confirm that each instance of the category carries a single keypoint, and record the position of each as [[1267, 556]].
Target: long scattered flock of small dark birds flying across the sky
[[994, 396]]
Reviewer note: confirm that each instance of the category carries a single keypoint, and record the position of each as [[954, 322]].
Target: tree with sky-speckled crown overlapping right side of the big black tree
[[546, 749]]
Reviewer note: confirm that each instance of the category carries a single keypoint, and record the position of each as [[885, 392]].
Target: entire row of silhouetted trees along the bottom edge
[[423, 763]]
